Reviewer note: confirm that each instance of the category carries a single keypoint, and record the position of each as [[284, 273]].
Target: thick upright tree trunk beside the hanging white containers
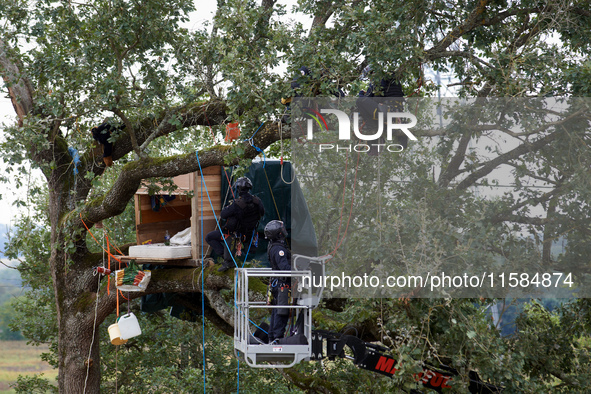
[[75, 297]]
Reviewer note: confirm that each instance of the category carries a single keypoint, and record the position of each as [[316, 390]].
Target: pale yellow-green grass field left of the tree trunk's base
[[18, 358]]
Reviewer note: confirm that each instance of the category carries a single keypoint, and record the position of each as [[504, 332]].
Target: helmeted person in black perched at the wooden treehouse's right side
[[242, 217]]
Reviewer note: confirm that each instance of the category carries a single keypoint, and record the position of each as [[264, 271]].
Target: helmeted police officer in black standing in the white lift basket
[[280, 259]]
